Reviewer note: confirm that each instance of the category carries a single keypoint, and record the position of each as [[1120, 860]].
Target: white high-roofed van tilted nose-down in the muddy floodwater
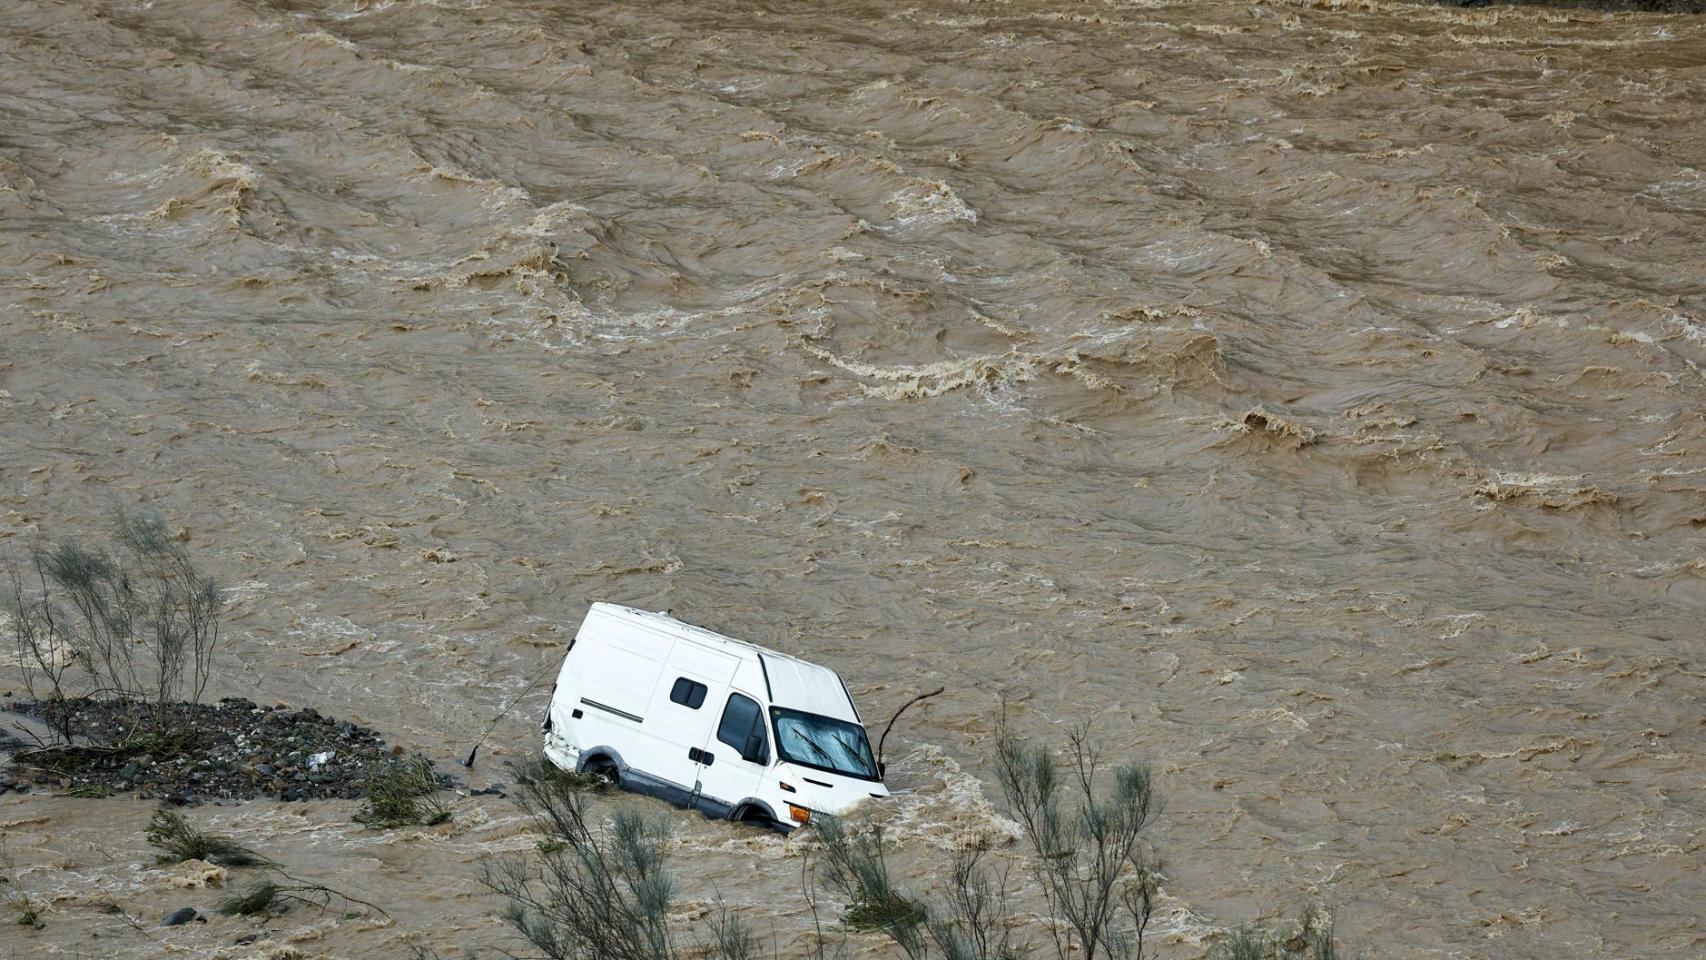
[[709, 722]]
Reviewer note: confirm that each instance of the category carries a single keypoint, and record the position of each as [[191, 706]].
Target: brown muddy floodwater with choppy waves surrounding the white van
[[1306, 396]]
